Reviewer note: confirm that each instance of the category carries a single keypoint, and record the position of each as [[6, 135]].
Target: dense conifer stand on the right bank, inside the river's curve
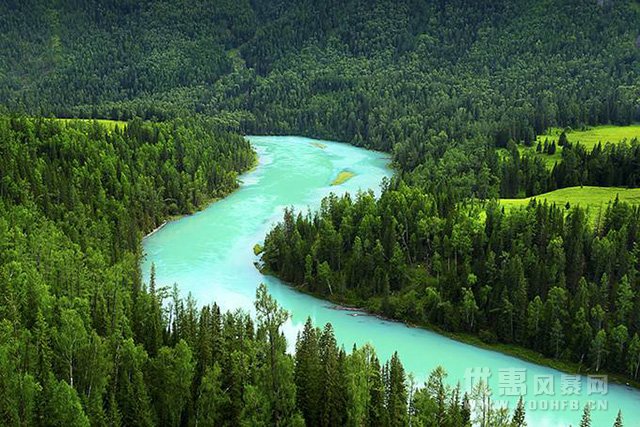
[[561, 285]]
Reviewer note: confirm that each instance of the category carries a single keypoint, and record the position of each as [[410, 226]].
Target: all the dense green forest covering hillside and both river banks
[[455, 91]]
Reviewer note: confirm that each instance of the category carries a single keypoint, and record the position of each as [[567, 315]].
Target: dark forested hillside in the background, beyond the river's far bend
[[377, 73]]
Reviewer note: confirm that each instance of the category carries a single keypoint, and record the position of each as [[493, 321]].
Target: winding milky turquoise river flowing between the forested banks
[[210, 255]]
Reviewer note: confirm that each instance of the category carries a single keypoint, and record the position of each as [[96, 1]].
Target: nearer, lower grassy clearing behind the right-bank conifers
[[593, 198]]
